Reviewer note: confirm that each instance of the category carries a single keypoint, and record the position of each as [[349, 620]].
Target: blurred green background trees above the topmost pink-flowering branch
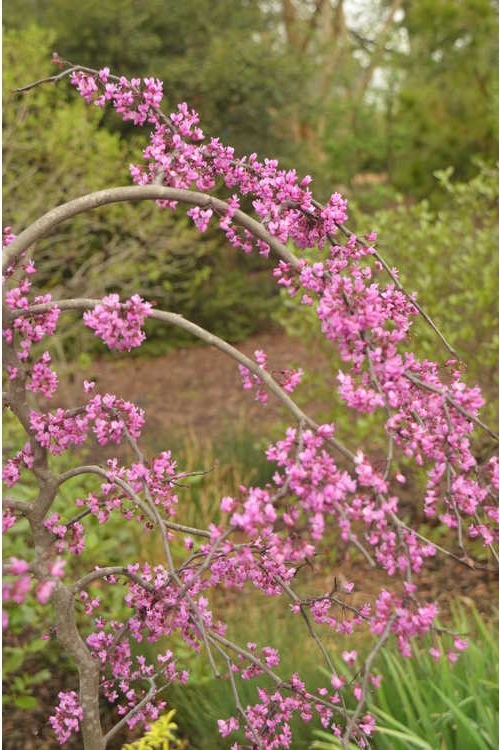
[[336, 92]]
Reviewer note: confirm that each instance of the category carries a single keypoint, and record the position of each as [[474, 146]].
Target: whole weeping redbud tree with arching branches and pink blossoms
[[267, 533]]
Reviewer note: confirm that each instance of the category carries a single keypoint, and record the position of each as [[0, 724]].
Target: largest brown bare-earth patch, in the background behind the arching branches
[[199, 389]]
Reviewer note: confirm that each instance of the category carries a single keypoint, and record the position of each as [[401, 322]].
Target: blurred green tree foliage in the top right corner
[[446, 107]]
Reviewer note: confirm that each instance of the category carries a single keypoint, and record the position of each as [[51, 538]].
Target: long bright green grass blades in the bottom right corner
[[435, 705]]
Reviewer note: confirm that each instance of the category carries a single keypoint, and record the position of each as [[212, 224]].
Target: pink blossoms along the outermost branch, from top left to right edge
[[367, 321]]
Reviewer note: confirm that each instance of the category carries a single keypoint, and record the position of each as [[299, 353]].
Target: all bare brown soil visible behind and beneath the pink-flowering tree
[[198, 390]]
